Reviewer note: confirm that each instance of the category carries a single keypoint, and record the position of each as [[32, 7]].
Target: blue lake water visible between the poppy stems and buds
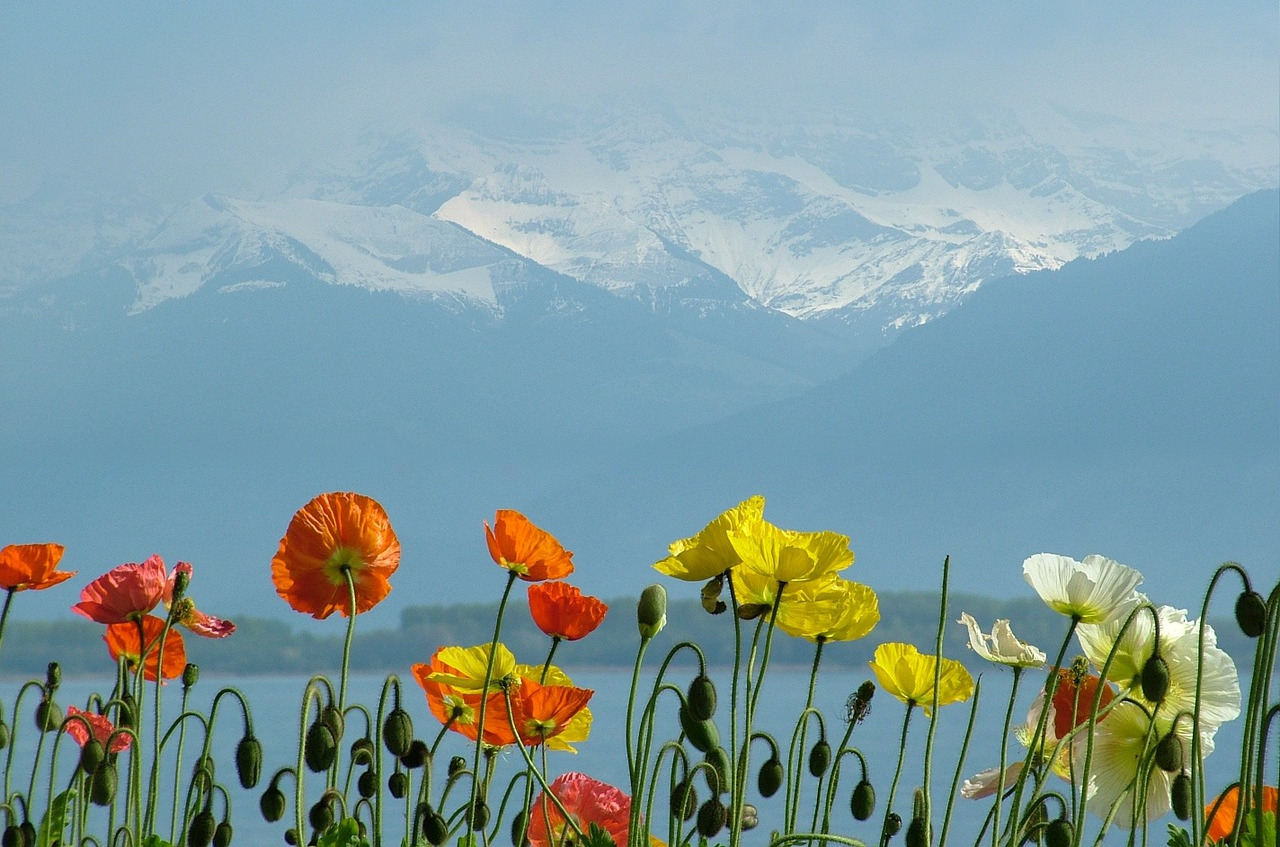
[[276, 717]]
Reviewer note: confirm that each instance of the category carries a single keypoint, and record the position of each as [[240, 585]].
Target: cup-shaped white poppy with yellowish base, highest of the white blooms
[[1095, 590]]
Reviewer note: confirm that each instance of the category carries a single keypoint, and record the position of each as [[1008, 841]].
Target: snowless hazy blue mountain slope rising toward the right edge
[[1127, 406]]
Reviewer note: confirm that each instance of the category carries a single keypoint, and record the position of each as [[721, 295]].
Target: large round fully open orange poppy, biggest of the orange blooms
[[331, 537]]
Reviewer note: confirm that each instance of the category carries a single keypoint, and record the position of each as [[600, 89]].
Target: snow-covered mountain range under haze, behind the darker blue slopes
[[881, 226]]
